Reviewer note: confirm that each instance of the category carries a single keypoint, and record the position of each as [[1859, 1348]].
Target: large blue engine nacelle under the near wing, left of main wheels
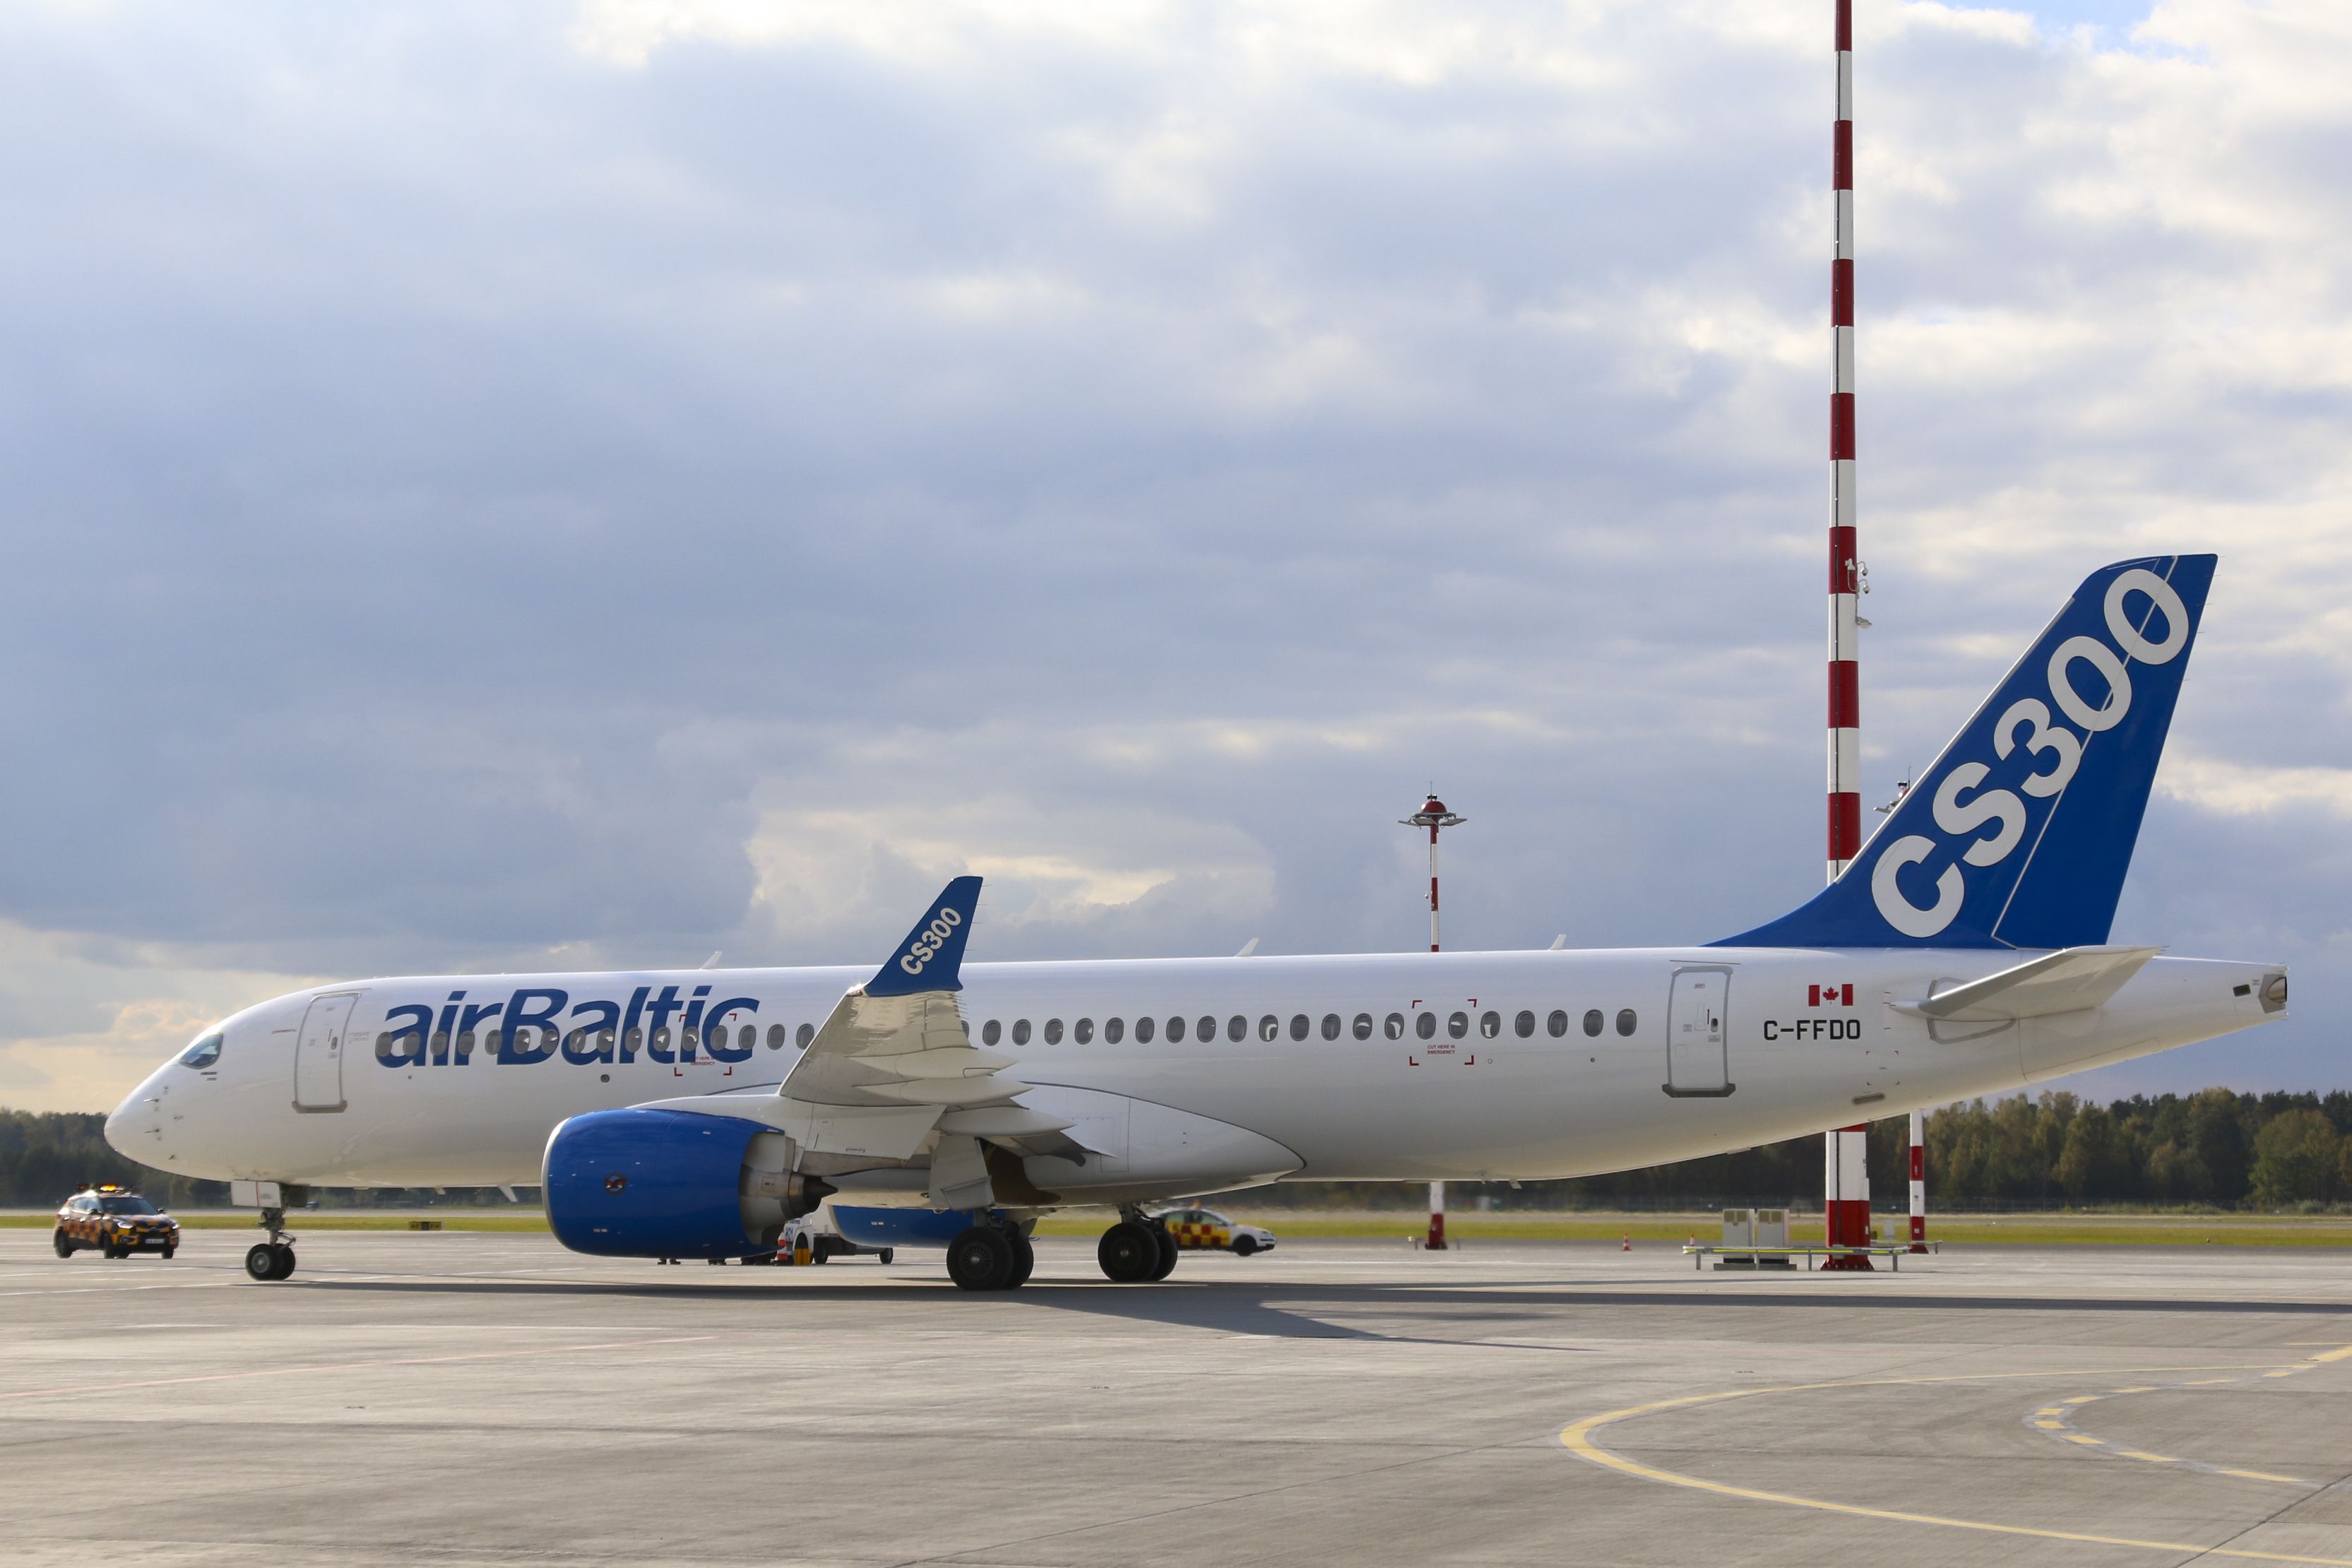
[[667, 1184]]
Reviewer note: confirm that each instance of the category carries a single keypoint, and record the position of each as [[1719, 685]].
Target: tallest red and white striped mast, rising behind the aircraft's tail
[[1845, 1153]]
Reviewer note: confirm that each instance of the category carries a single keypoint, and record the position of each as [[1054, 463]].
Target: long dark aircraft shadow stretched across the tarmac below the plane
[[1288, 1311]]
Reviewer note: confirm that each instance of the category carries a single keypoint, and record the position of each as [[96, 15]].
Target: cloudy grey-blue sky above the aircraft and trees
[[549, 485]]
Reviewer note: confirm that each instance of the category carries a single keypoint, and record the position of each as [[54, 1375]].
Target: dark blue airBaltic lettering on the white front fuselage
[[540, 1024]]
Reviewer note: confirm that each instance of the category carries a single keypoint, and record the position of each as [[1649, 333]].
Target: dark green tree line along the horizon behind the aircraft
[[2212, 1148]]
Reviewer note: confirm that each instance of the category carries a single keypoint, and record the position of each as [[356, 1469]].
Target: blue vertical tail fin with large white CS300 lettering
[[2024, 829]]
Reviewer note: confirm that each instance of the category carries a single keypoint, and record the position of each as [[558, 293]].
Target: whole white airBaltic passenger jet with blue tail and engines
[[695, 1113]]
